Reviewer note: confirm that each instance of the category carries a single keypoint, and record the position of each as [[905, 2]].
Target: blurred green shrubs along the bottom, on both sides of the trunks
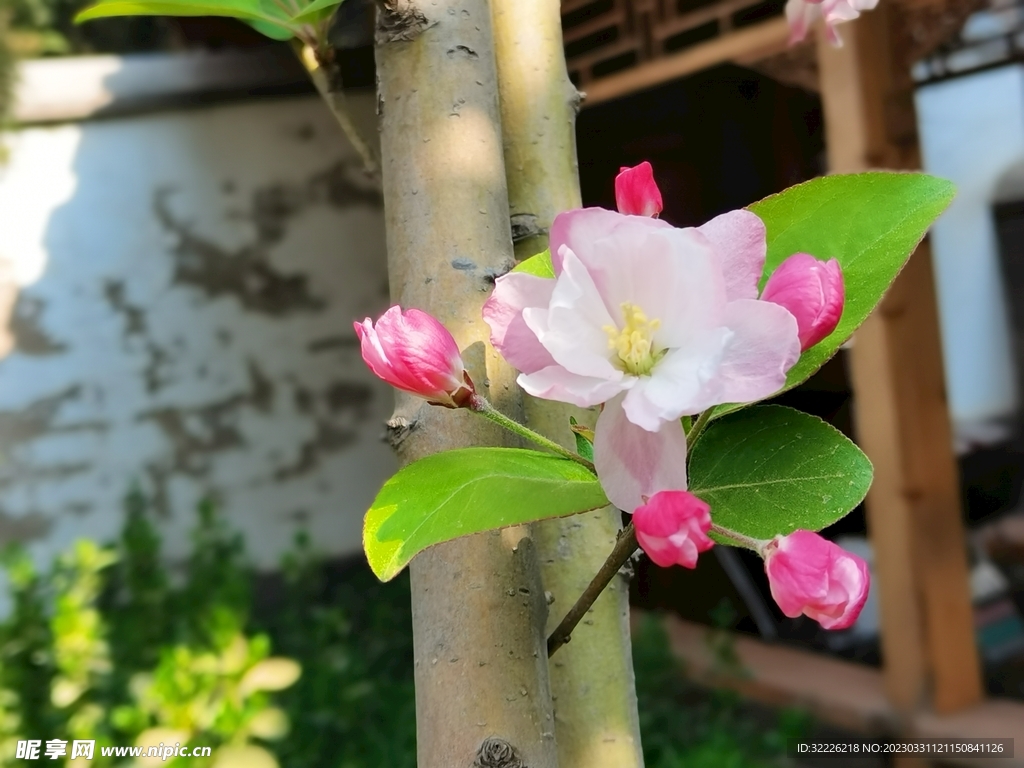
[[109, 645]]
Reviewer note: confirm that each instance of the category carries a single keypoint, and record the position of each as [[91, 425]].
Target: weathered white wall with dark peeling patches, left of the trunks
[[181, 289]]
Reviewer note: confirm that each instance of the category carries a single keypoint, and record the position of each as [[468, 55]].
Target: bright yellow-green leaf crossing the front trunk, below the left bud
[[458, 493]]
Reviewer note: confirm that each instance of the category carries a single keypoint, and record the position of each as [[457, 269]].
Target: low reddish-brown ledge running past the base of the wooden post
[[841, 694]]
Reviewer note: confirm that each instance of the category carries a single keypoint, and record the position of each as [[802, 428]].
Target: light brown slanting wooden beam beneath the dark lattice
[[746, 47]]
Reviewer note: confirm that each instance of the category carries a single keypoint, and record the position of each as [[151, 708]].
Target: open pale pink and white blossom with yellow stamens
[[653, 322]]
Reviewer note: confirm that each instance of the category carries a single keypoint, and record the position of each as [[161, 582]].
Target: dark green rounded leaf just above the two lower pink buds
[[770, 470]]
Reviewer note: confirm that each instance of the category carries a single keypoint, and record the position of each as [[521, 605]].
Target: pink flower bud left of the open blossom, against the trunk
[[414, 353]]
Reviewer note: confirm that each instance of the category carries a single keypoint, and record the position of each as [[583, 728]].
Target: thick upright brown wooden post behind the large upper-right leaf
[[902, 418]]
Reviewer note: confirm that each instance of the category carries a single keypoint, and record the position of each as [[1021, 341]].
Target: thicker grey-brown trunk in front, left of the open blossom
[[483, 696]]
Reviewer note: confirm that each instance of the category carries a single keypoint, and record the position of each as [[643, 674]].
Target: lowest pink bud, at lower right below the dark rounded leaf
[[812, 576]]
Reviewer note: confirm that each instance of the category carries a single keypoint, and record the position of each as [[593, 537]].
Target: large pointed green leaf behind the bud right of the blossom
[[871, 223]]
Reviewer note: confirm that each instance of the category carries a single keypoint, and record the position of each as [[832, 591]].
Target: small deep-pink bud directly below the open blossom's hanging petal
[[672, 527]]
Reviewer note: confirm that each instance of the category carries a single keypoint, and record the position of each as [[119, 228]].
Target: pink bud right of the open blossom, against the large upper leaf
[[814, 293]]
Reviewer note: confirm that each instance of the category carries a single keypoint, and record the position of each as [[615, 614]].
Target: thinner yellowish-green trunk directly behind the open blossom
[[592, 680]]
